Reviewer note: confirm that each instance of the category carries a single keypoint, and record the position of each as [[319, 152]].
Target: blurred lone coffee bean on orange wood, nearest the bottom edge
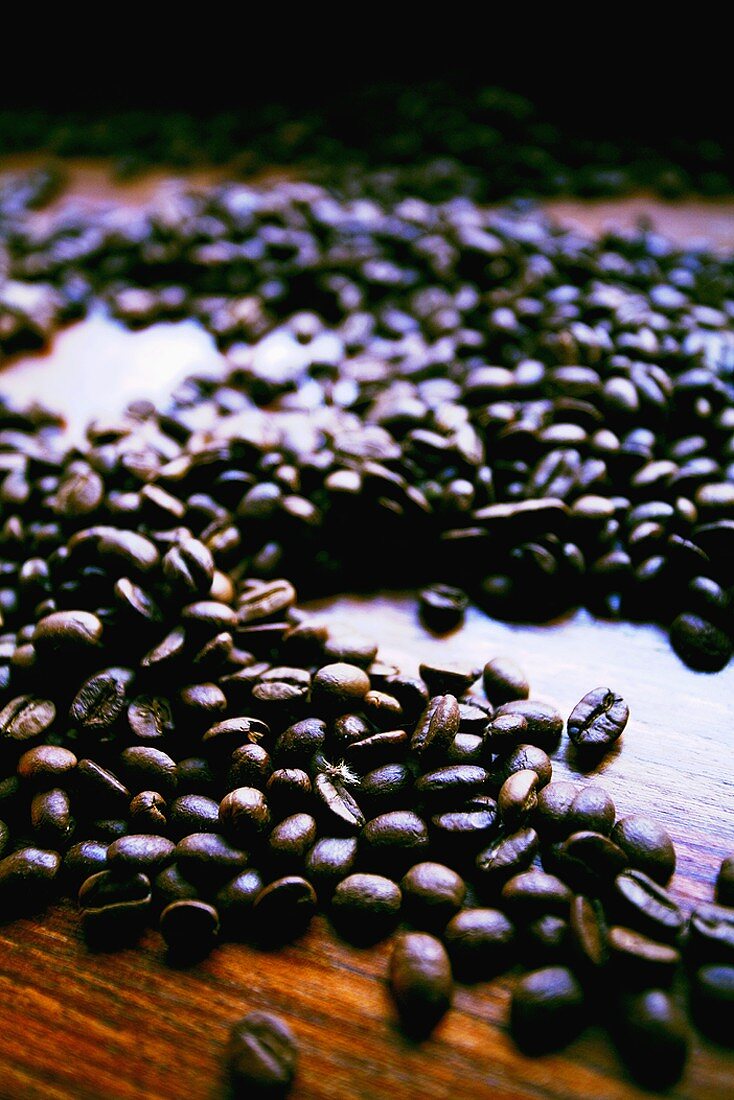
[[262, 1057]]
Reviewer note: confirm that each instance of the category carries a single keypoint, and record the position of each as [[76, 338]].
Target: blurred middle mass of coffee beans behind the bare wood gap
[[546, 417]]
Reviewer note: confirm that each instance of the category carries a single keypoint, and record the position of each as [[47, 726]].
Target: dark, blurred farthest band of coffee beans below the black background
[[433, 139]]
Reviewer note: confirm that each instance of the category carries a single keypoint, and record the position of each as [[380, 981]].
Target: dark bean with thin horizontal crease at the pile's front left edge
[[115, 907]]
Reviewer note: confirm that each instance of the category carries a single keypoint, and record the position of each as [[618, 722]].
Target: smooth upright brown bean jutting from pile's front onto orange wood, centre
[[421, 982]]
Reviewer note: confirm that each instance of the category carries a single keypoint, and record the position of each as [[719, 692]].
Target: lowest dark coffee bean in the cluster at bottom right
[[652, 1038]]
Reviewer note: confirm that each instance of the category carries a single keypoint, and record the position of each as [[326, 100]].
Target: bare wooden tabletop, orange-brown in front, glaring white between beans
[[74, 1025]]
